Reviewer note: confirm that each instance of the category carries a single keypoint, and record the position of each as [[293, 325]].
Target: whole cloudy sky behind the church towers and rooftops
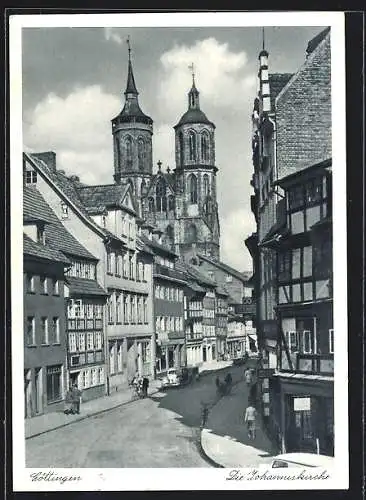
[[74, 81]]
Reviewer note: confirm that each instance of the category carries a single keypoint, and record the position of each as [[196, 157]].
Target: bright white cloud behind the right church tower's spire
[[220, 76]]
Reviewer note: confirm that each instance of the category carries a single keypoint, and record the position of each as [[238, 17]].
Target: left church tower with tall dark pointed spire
[[132, 132]]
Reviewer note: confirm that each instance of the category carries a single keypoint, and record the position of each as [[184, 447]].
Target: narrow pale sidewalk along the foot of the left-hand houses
[[51, 421]]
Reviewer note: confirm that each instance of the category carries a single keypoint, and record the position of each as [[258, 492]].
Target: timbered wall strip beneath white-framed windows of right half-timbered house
[[311, 364]]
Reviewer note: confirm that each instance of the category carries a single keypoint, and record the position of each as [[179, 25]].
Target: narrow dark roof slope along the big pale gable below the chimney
[[69, 190]]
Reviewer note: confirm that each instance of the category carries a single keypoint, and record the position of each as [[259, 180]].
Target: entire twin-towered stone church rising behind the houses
[[180, 202]]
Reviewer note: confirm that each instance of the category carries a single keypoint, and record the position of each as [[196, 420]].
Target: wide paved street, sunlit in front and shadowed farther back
[[161, 431]]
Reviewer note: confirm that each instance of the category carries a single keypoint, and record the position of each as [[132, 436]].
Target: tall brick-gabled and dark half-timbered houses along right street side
[[292, 249]]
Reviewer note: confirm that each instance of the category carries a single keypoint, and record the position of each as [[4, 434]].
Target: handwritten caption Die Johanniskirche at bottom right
[[255, 475]]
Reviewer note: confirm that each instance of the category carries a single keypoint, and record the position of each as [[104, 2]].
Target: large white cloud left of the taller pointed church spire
[[77, 127]]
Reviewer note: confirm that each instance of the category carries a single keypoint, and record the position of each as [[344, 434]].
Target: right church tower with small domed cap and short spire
[[195, 174]]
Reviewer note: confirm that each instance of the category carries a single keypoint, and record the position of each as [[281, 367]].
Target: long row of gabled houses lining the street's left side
[[105, 299]]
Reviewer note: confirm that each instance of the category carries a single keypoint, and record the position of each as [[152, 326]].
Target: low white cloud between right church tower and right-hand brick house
[[235, 228]]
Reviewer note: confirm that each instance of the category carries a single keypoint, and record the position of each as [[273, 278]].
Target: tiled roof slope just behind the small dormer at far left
[[56, 234]]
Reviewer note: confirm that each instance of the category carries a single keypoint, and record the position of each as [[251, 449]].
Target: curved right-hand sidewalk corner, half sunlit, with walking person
[[225, 439]]
